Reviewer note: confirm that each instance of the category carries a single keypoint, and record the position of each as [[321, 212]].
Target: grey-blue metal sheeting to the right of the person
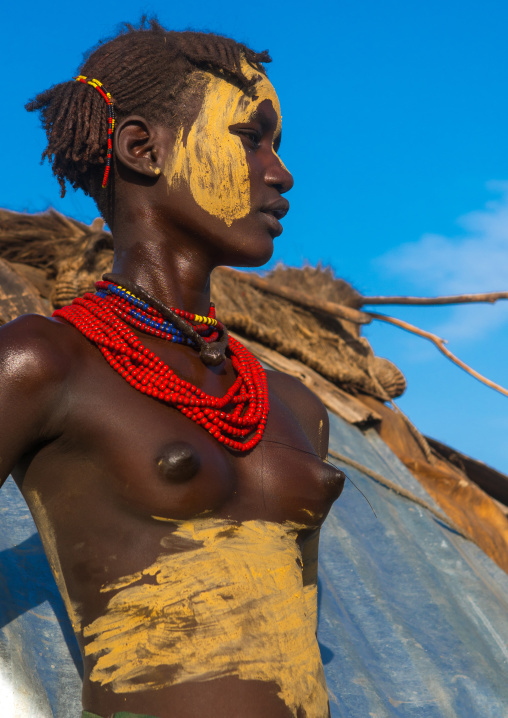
[[413, 618]]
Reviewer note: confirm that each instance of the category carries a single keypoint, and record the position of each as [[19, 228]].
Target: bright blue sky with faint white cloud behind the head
[[396, 130]]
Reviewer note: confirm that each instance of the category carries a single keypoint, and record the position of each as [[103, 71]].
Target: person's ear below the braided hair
[[141, 146]]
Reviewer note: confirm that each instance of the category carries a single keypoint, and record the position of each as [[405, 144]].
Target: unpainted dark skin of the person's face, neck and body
[[103, 459]]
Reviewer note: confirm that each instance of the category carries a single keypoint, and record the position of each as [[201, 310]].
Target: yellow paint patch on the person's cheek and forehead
[[212, 161]]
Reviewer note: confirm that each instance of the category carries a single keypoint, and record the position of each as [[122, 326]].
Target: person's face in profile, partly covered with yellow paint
[[224, 169]]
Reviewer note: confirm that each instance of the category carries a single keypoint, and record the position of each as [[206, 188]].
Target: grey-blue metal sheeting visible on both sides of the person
[[413, 617]]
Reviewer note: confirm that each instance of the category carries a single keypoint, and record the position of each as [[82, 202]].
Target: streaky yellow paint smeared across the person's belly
[[231, 602]]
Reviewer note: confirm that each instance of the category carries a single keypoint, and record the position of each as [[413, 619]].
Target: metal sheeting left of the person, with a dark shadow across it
[[39, 656]]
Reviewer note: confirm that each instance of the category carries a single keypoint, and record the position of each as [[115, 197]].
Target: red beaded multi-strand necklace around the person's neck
[[101, 318]]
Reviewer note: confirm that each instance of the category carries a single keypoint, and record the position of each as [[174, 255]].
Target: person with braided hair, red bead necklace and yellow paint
[[177, 488]]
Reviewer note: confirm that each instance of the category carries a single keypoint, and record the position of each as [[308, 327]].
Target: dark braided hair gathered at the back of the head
[[147, 71]]
